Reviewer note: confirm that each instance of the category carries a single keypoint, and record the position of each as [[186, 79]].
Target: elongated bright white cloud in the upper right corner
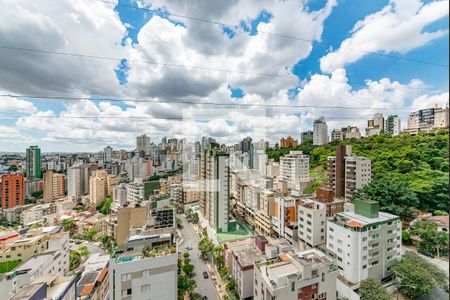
[[398, 27]]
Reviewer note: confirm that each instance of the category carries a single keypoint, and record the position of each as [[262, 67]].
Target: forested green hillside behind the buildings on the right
[[408, 171]]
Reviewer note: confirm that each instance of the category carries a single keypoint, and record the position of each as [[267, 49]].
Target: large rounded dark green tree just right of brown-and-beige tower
[[395, 196]]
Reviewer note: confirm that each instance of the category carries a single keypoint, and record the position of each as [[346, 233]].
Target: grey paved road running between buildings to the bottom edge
[[205, 287]]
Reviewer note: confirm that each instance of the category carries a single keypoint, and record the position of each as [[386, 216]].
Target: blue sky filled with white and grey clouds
[[77, 75]]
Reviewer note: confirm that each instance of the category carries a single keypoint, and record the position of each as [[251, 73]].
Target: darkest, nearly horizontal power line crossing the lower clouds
[[97, 99]]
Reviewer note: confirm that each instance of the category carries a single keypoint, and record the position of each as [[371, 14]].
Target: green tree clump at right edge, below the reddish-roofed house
[[431, 240]]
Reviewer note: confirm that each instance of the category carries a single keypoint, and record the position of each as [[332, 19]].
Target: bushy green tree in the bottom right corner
[[418, 277]]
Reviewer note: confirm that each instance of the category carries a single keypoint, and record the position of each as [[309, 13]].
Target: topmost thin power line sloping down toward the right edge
[[280, 35]]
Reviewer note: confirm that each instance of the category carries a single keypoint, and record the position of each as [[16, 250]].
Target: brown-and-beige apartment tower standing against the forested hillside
[[347, 172]]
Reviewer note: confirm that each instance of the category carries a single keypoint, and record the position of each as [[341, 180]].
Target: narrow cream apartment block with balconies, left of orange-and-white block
[[265, 210]]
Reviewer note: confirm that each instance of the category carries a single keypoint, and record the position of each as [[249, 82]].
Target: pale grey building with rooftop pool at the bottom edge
[[133, 276]]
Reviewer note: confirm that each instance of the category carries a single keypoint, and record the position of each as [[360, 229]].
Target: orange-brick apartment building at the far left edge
[[13, 190]]
